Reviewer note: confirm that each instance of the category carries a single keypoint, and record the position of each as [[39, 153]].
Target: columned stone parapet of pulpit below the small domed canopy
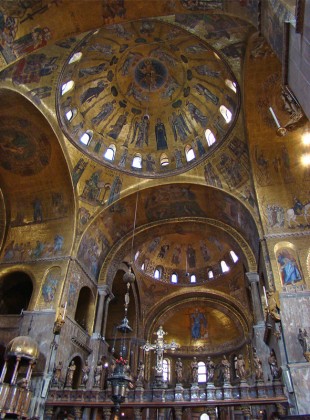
[[14, 400]]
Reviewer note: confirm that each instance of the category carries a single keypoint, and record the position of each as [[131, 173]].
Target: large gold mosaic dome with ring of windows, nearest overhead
[[147, 98]]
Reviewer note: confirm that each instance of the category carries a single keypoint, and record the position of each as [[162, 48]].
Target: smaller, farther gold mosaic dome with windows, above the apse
[[187, 254]]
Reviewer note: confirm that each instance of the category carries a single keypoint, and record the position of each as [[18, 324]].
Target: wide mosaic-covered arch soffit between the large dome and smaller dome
[[203, 207]]
